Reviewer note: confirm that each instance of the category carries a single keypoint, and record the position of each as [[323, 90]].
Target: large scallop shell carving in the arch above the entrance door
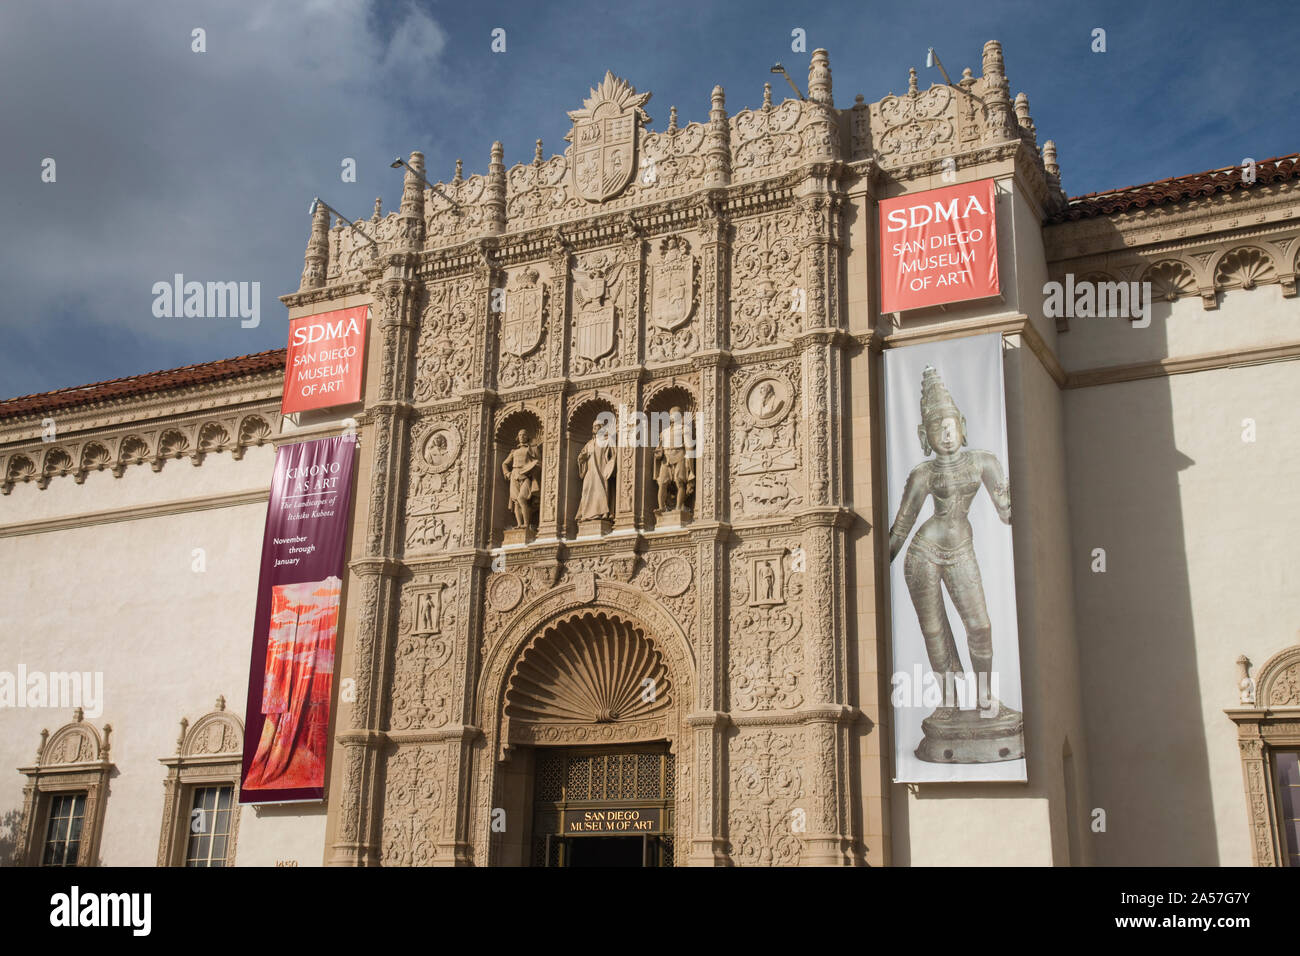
[[592, 668]]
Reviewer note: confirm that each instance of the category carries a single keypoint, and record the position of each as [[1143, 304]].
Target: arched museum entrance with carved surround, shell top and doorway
[[584, 723]]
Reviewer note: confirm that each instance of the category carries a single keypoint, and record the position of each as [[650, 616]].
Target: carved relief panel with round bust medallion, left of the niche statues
[[436, 509]]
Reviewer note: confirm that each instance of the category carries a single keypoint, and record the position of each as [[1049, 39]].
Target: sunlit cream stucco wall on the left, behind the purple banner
[[123, 598]]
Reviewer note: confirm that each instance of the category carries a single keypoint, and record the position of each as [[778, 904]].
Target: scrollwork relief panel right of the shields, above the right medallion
[[769, 293]]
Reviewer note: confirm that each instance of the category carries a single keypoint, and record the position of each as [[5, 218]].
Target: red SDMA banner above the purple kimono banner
[[324, 364]]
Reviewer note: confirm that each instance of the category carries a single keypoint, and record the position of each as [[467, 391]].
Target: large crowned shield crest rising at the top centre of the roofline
[[605, 139]]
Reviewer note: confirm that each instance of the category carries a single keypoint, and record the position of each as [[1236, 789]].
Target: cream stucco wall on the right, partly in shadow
[[1199, 539]]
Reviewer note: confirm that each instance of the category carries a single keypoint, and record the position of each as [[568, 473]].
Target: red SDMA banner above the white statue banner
[[939, 246]]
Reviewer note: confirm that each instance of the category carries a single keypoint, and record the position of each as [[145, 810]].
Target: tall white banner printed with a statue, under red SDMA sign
[[956, 684]]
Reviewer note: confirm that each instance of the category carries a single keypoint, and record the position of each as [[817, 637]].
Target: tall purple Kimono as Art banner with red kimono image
[[292, 676]]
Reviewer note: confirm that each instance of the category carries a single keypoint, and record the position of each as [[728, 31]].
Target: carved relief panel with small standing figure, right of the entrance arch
[[768, 671]]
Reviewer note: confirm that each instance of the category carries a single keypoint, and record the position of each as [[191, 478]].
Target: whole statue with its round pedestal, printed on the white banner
[[943, 556]]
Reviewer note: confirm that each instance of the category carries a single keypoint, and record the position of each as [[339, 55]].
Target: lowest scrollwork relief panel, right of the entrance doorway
[[766, 790]]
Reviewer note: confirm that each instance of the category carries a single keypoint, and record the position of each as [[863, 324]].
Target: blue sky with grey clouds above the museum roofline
[[205, 165]]
